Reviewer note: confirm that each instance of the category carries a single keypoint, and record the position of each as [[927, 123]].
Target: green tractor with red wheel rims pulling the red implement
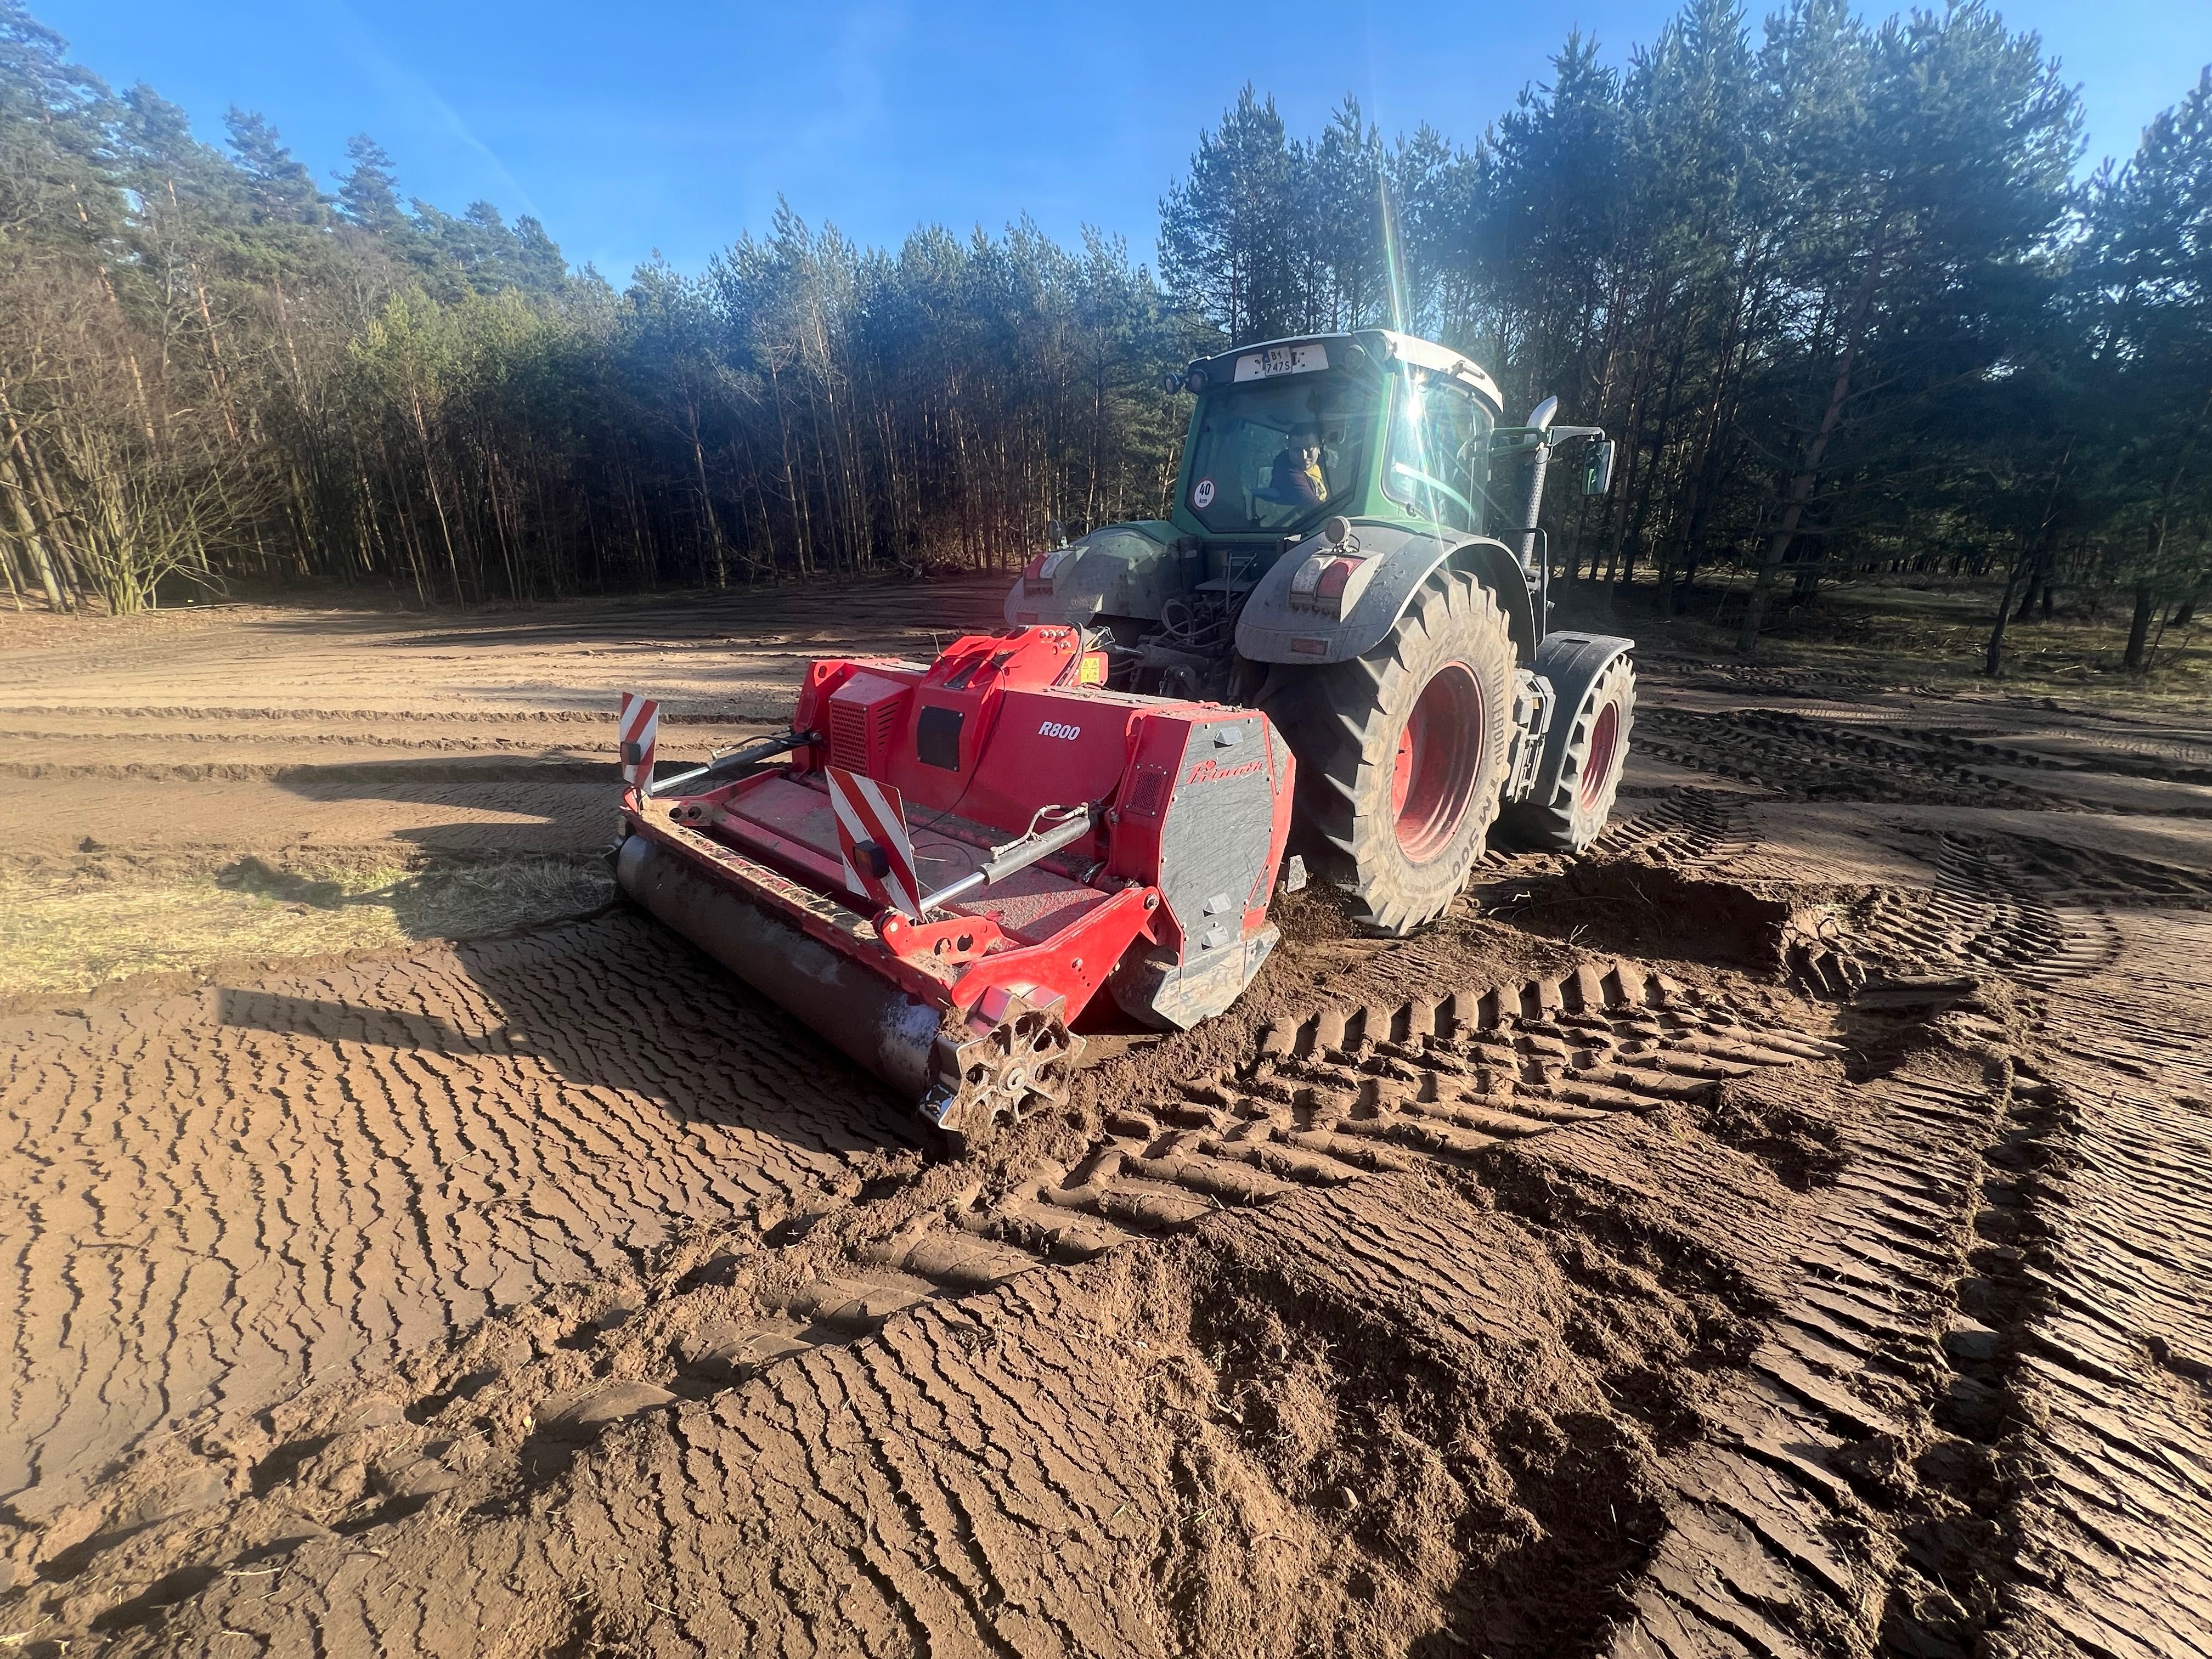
[[1355, 550]]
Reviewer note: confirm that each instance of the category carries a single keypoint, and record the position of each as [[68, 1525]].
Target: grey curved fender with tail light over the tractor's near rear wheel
[[1399, 561]]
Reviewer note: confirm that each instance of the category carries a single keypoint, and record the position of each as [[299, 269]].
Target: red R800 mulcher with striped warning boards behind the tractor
[[939, 866]]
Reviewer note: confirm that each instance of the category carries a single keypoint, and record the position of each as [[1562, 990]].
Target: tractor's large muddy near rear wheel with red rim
[[1404, 751]]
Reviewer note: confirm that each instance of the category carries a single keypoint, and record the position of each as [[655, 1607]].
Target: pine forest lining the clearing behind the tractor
[[1844, 291]]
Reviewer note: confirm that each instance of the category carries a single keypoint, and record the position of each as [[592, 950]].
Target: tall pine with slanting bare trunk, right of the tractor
[[1932, 160]]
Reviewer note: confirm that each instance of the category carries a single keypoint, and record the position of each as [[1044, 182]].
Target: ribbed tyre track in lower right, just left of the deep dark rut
[[1793, 1527]]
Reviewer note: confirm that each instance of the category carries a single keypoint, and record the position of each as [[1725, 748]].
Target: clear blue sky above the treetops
[[674, 125]]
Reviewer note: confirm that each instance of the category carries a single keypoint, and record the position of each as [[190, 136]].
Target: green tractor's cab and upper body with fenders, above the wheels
[[1293, 446]]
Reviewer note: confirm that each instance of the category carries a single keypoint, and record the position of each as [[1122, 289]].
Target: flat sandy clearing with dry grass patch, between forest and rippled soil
[[240, 784]]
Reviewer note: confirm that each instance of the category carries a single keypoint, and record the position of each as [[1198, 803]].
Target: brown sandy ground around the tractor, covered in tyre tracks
[[1782, 1233]]
